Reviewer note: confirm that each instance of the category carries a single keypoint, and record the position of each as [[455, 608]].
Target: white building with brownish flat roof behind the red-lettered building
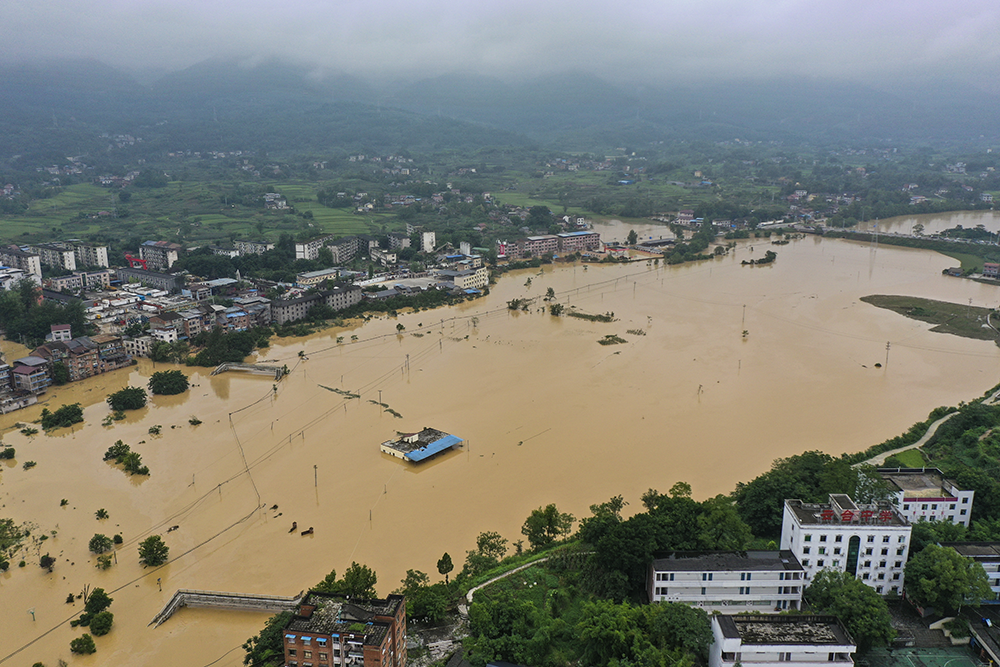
[[923, 494]]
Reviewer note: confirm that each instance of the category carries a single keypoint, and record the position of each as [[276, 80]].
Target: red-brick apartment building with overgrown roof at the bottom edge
[[330, 630]]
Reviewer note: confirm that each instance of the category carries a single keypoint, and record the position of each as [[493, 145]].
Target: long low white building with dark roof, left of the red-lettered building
[[731, 581]]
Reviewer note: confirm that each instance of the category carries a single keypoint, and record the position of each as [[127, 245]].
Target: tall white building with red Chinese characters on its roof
[[870, 542]]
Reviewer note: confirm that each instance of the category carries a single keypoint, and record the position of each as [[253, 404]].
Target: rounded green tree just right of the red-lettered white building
[[942, 578]]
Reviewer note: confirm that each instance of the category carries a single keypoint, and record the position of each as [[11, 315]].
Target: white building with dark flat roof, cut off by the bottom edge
[[792, 641]]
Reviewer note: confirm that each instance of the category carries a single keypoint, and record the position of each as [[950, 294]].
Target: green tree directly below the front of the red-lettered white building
[[862, 610]]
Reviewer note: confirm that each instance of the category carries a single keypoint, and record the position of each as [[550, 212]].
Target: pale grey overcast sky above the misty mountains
[[635, 40]]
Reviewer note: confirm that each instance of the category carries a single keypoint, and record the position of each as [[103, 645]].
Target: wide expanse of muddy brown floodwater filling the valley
[[548, 415]]
